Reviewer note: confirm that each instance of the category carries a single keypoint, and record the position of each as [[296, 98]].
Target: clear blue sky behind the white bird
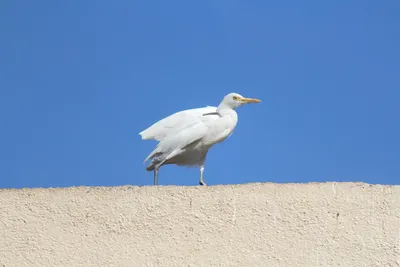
[[80, 79]]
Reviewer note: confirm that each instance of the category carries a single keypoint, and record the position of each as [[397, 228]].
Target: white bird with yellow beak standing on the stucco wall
[[186, 136]]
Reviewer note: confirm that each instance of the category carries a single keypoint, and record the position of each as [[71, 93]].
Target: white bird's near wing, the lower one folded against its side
[[174, 144]]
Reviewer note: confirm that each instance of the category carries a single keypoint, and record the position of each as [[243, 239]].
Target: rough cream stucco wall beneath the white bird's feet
[[329, 224]]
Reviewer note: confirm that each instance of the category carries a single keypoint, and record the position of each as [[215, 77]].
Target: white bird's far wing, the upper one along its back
[[175, 123]]
